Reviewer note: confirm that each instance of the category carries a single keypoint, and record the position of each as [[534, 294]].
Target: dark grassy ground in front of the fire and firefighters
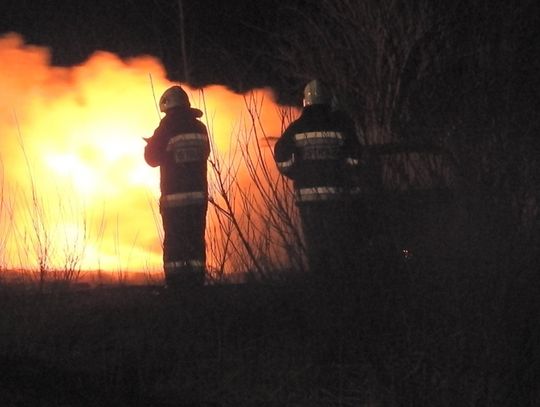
[[406, 338]]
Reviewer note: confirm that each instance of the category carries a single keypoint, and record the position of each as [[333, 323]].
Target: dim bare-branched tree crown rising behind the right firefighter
[[364, 50]]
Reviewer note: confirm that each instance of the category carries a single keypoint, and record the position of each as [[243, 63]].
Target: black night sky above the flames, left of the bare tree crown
[[224, 39]]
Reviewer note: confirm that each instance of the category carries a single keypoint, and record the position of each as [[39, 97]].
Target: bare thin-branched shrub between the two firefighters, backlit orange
[[254, 225]]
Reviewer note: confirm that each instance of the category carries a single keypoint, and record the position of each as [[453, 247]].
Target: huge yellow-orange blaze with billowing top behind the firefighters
[[76, 191]]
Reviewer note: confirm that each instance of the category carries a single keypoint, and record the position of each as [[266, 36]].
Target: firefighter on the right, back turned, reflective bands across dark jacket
[[320, 153]]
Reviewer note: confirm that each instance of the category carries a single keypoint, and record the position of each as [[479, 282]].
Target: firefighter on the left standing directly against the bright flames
[[180, 147]]
